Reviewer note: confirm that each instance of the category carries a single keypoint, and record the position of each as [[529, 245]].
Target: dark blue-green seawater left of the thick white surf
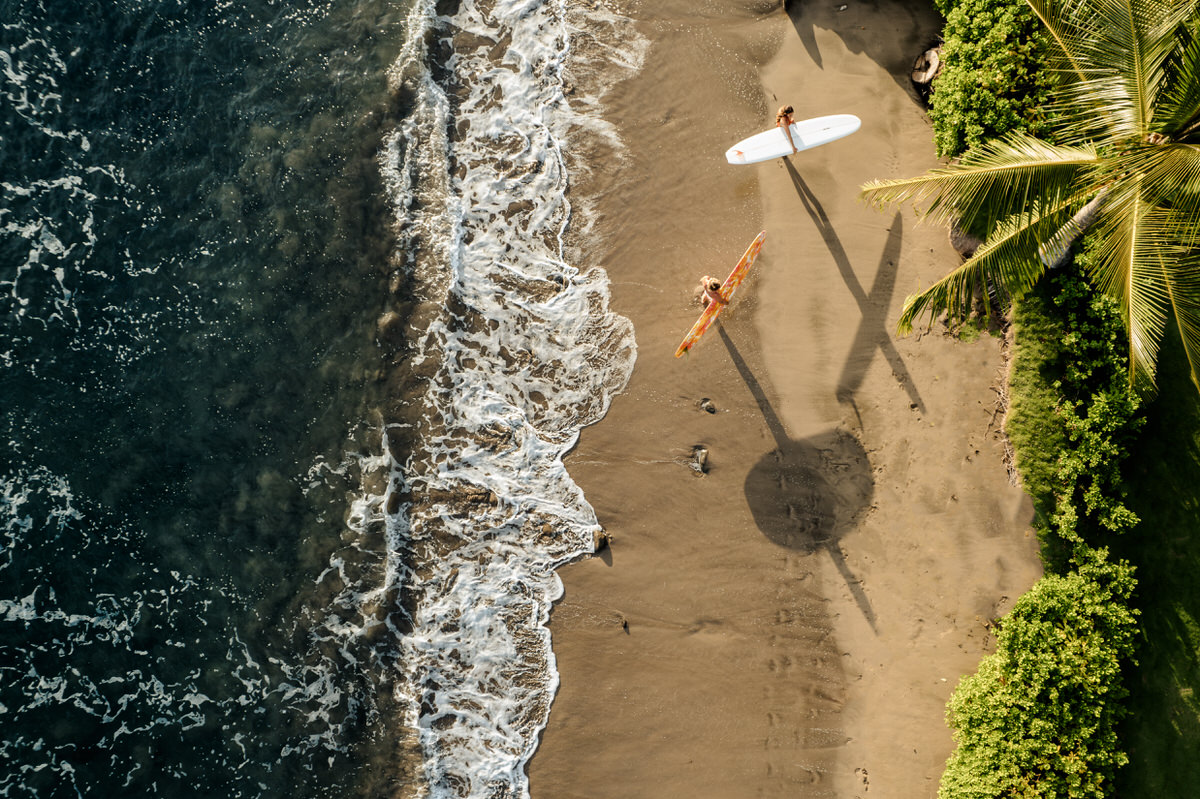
[[194, 253]]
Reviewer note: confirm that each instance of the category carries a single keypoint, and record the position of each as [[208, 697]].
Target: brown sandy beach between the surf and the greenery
[[794, 622]]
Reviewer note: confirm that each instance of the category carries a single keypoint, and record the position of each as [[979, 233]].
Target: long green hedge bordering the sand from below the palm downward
[[1040, 718]]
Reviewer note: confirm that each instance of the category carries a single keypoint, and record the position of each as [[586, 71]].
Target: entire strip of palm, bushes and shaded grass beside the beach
[[1118, 158]]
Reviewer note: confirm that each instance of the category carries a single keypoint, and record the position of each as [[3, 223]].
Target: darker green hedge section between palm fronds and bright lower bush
[[1073, 417]]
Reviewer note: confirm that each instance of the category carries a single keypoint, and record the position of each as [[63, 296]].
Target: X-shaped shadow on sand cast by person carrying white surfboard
[[873, 332]]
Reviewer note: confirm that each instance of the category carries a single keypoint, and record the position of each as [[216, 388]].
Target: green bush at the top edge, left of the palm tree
[[993, 80]]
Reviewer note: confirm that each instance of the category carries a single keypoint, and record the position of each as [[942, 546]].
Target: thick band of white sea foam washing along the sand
[[520, 352]]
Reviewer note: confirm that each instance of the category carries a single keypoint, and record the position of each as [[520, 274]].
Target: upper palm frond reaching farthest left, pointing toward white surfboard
[[993, 182]]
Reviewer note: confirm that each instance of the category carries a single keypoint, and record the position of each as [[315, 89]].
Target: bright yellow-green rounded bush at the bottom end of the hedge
[[1040, 718]]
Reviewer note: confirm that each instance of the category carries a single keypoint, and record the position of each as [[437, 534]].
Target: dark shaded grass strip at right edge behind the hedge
[[1163, 477]]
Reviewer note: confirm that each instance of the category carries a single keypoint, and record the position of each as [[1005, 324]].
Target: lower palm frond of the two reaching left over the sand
[[1009, 260]]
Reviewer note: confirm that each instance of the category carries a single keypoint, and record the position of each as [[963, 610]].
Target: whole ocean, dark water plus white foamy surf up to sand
[[301, 315]]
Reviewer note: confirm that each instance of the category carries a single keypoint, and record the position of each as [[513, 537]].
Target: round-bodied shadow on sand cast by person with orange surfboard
[[806, 495]]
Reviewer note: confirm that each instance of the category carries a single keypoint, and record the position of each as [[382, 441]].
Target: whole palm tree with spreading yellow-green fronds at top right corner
[[1125, 161]]
